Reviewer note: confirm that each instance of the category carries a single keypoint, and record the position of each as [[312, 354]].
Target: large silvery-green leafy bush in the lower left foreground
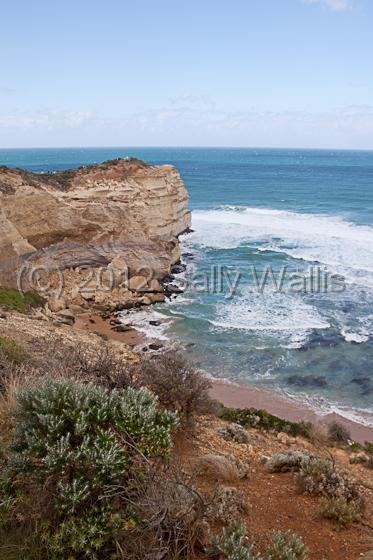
[[79, 452]]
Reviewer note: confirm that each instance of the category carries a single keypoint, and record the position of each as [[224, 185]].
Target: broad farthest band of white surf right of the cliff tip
[[344, 247]]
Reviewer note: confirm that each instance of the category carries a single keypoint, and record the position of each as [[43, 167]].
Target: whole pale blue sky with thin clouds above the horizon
[[256, 73]]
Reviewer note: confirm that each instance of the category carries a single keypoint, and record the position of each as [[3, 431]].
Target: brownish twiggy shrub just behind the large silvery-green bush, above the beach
[[178, 384]]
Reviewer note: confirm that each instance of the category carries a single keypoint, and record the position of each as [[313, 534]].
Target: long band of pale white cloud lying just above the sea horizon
[[200, 124]]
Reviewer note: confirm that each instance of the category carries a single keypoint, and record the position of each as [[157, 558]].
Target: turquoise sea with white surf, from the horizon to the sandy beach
[[259, 210]]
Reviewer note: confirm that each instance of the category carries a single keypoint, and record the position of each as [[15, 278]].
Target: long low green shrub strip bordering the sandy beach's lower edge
[[261, 419]]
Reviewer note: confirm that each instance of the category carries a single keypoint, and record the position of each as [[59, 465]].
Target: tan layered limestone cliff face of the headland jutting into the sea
[[116, 215]]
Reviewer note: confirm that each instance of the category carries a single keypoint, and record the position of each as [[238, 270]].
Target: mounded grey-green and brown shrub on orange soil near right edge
[[318, 477]]
